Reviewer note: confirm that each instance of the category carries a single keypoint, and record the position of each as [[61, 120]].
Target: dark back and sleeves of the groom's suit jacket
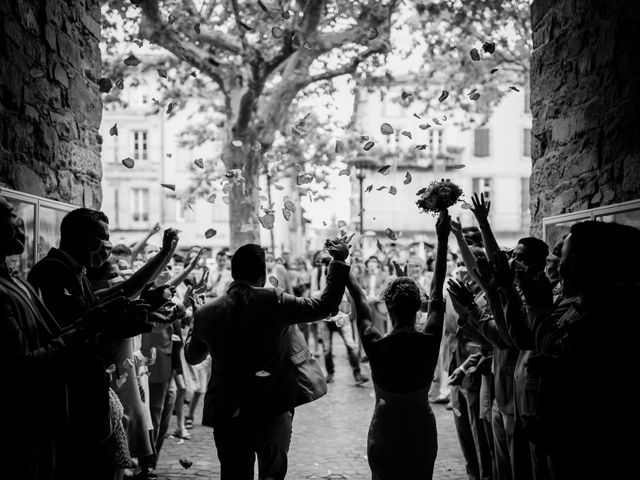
[[246, 331]]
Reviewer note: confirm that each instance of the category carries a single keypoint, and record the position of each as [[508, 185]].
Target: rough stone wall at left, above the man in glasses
[[50, 106]]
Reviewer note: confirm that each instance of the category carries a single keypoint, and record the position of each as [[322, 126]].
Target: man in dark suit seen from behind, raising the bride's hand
[[250, 396]]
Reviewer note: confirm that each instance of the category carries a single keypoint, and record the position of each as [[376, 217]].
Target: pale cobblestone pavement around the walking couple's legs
[[329, 438]]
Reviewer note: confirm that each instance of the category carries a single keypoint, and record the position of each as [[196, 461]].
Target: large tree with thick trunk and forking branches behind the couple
[[260, 55]]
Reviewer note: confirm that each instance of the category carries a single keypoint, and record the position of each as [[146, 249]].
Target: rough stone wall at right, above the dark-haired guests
[[585, 100]]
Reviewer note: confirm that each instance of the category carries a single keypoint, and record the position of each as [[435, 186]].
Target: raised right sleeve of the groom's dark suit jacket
[[301, 309]]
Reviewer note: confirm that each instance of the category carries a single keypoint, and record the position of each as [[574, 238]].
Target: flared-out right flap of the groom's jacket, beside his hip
[[309, 383]]
